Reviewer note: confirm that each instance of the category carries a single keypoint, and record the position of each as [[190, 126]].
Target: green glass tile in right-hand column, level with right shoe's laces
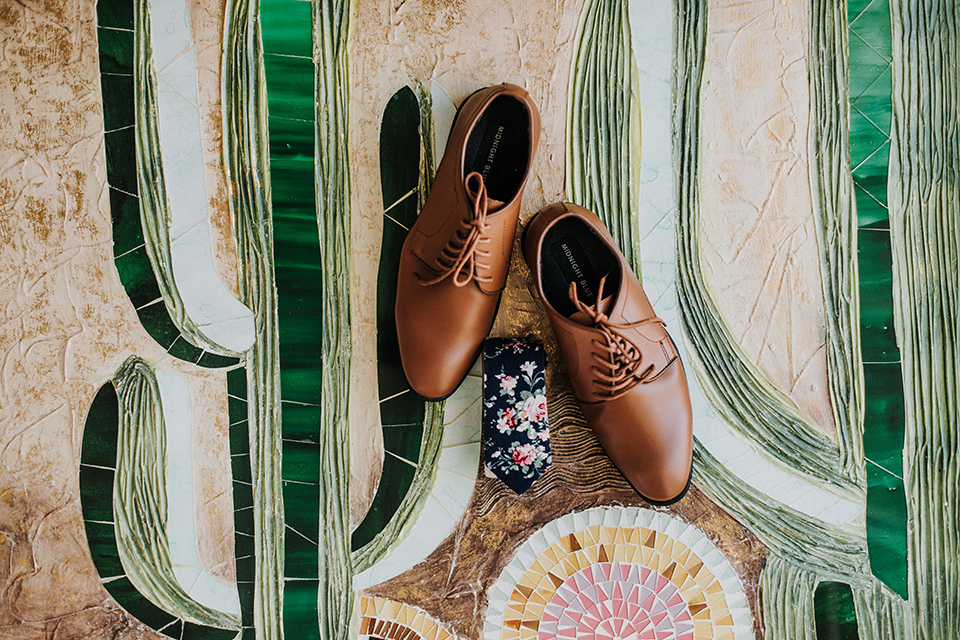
[[878, 340]]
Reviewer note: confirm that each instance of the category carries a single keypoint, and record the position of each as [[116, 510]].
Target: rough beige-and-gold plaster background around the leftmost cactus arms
[[66, 323]]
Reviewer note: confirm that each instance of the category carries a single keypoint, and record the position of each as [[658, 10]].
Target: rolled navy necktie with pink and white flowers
[[516, 435]]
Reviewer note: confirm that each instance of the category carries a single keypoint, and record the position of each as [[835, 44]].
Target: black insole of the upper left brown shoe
[[498, 147]]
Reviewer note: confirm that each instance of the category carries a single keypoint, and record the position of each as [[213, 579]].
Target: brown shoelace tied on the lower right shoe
[[618, 355]]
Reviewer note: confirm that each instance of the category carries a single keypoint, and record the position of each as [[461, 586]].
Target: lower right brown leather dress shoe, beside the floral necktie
[[624, 368]]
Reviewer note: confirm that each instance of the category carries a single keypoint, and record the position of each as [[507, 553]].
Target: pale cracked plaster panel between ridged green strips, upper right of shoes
[[760, 250]]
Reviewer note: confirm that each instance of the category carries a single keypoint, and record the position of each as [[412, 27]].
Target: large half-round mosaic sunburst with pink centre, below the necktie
[[610, 574]]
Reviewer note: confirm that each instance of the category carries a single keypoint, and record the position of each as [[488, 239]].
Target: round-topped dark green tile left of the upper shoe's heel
[[400, 147]]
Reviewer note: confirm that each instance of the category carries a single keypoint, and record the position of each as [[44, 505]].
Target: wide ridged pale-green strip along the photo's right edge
[[925, 246]]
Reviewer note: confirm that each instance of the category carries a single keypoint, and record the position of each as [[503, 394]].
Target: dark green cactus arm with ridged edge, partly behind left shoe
[[412, 427]]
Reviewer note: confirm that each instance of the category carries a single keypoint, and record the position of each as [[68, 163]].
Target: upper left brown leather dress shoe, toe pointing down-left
[[455, 257]]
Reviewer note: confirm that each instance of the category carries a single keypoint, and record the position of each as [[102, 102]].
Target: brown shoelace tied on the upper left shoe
[[459, 258]]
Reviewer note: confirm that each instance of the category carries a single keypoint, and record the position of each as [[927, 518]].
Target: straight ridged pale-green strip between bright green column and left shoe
[[332, 29]]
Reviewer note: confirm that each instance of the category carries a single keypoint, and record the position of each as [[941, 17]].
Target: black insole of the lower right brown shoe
[[572, 252]]
